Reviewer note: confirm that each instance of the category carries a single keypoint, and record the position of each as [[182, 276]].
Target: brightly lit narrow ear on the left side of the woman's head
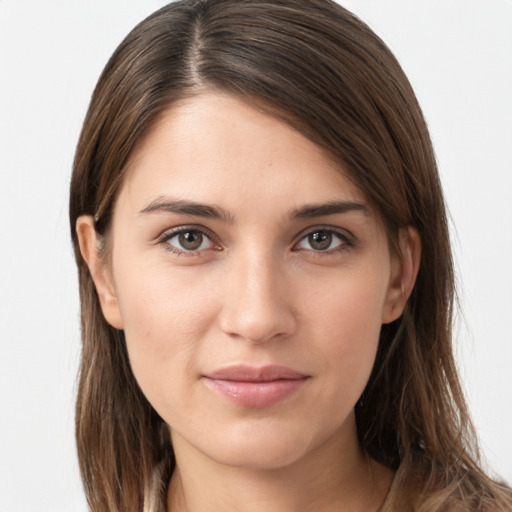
[[100, 271]]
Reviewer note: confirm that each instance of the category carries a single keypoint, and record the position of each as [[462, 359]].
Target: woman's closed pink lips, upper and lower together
[[254, 387]]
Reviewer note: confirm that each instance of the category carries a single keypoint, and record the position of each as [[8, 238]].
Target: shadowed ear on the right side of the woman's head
[[404, 270]]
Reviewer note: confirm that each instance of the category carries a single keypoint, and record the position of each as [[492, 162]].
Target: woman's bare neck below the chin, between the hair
[[332, 477]]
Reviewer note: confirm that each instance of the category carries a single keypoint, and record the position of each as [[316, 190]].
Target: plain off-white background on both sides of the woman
[[458, 55]]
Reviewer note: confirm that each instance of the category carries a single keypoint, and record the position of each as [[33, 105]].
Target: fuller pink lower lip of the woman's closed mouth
[[256, 394]]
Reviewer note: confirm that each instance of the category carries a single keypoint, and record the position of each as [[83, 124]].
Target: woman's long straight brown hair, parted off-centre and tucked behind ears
[[318, 67]]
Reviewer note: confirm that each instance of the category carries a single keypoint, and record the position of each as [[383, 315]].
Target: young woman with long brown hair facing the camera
[[265, 273]]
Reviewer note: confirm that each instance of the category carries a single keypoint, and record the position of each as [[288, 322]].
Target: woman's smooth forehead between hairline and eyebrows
[[218, 149]]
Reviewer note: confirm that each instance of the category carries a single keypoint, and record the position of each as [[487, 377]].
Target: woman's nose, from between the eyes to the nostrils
[[258, 299]]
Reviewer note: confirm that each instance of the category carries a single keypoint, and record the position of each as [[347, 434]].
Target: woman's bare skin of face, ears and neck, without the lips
[[258, 290]]
